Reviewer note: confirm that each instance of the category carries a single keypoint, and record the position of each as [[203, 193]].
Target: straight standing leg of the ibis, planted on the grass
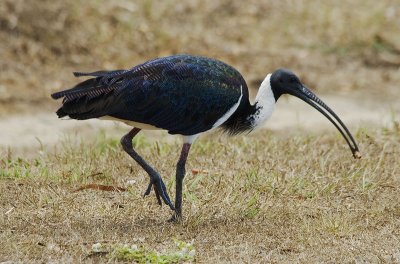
[[180, 174]]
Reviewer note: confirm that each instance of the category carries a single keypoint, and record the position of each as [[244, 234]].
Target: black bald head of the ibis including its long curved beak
[[284, 81]]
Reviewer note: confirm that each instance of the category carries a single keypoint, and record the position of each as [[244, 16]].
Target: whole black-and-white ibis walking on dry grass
[[185, 95]]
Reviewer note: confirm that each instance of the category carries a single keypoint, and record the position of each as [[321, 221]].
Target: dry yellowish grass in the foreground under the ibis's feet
[[265, 198]]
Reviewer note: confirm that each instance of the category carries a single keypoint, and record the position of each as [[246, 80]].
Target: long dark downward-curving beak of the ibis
[[309, 97]]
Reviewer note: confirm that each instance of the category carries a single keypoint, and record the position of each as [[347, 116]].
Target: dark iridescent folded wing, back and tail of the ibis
[[183, 94]]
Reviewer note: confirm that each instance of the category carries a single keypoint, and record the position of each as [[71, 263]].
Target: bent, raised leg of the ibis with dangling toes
[[155, 178]]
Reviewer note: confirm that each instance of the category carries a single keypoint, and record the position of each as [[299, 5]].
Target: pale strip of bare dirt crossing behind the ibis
[[26, 134]]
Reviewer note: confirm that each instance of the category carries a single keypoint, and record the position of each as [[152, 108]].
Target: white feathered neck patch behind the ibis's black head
[[264, 103]]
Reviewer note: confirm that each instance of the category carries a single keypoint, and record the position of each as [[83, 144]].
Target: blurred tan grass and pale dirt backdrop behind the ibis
[[347, 51]]
